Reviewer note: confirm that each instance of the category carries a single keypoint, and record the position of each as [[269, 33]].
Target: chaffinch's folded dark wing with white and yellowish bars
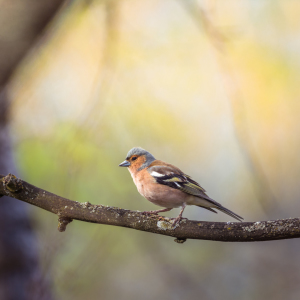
[[173, 177]]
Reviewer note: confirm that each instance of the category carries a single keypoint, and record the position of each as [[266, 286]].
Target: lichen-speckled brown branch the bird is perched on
[[68, 210]]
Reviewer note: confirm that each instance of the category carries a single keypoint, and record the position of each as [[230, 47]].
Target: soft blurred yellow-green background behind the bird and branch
[[209, 86]]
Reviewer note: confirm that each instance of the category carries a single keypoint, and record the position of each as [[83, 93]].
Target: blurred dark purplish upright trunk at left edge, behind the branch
[[19, 269]]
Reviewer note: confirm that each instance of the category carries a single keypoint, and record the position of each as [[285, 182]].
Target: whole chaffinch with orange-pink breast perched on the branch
[[167, 186]]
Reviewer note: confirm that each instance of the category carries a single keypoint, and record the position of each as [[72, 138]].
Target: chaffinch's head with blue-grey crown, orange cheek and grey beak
[[137, 159]]
